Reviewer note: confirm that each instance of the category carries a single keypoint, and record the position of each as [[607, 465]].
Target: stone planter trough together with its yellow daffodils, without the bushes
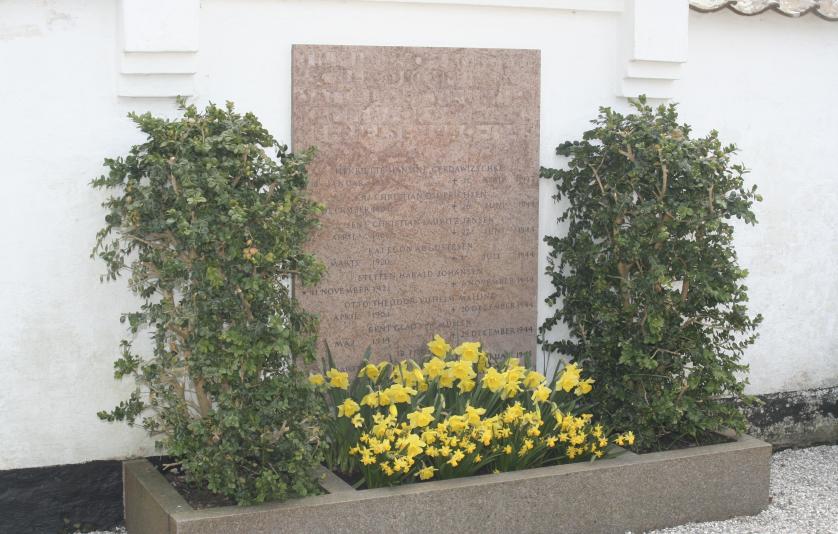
[[495, 449]]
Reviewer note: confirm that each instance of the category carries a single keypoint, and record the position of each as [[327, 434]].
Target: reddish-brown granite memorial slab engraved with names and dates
[[427, 164]]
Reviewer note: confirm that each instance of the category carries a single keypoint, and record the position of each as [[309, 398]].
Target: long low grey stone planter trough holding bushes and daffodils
[[629, 492]]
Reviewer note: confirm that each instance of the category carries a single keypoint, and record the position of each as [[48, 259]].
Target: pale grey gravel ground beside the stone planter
[[804, 499]]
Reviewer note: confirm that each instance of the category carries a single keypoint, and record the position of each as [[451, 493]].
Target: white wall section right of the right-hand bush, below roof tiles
[[769, 84]]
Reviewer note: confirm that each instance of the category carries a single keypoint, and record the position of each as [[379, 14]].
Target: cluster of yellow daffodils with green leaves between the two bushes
[[453, 415]]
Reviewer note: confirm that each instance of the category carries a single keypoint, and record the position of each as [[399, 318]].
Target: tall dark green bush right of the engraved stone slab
[[647, 275]]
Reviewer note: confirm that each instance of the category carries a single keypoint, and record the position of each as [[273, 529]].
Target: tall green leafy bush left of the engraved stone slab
[[211, 228]]
